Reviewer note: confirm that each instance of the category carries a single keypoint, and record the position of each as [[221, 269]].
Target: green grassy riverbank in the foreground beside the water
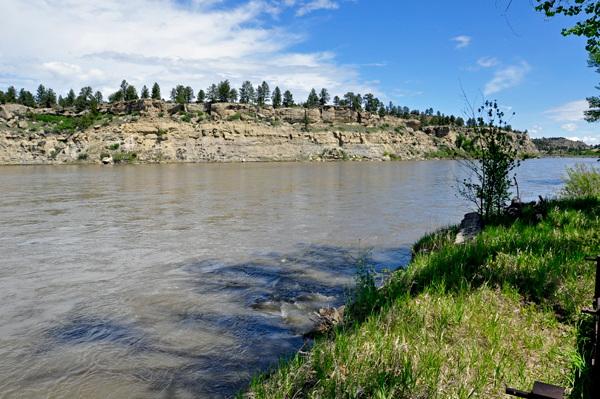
[[464, 320]]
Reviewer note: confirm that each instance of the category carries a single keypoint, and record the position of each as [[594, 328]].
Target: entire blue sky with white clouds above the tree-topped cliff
[[415, 54]]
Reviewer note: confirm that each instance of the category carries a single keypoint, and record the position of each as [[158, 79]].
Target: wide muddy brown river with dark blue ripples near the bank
[[177, 281]]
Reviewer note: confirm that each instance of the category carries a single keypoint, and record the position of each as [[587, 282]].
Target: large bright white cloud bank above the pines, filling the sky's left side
[[75, 44]]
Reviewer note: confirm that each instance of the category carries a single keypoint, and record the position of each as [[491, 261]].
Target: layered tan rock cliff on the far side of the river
[[155, 131]]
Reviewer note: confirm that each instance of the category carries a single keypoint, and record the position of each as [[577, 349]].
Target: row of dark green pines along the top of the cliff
[[260, 95]]
